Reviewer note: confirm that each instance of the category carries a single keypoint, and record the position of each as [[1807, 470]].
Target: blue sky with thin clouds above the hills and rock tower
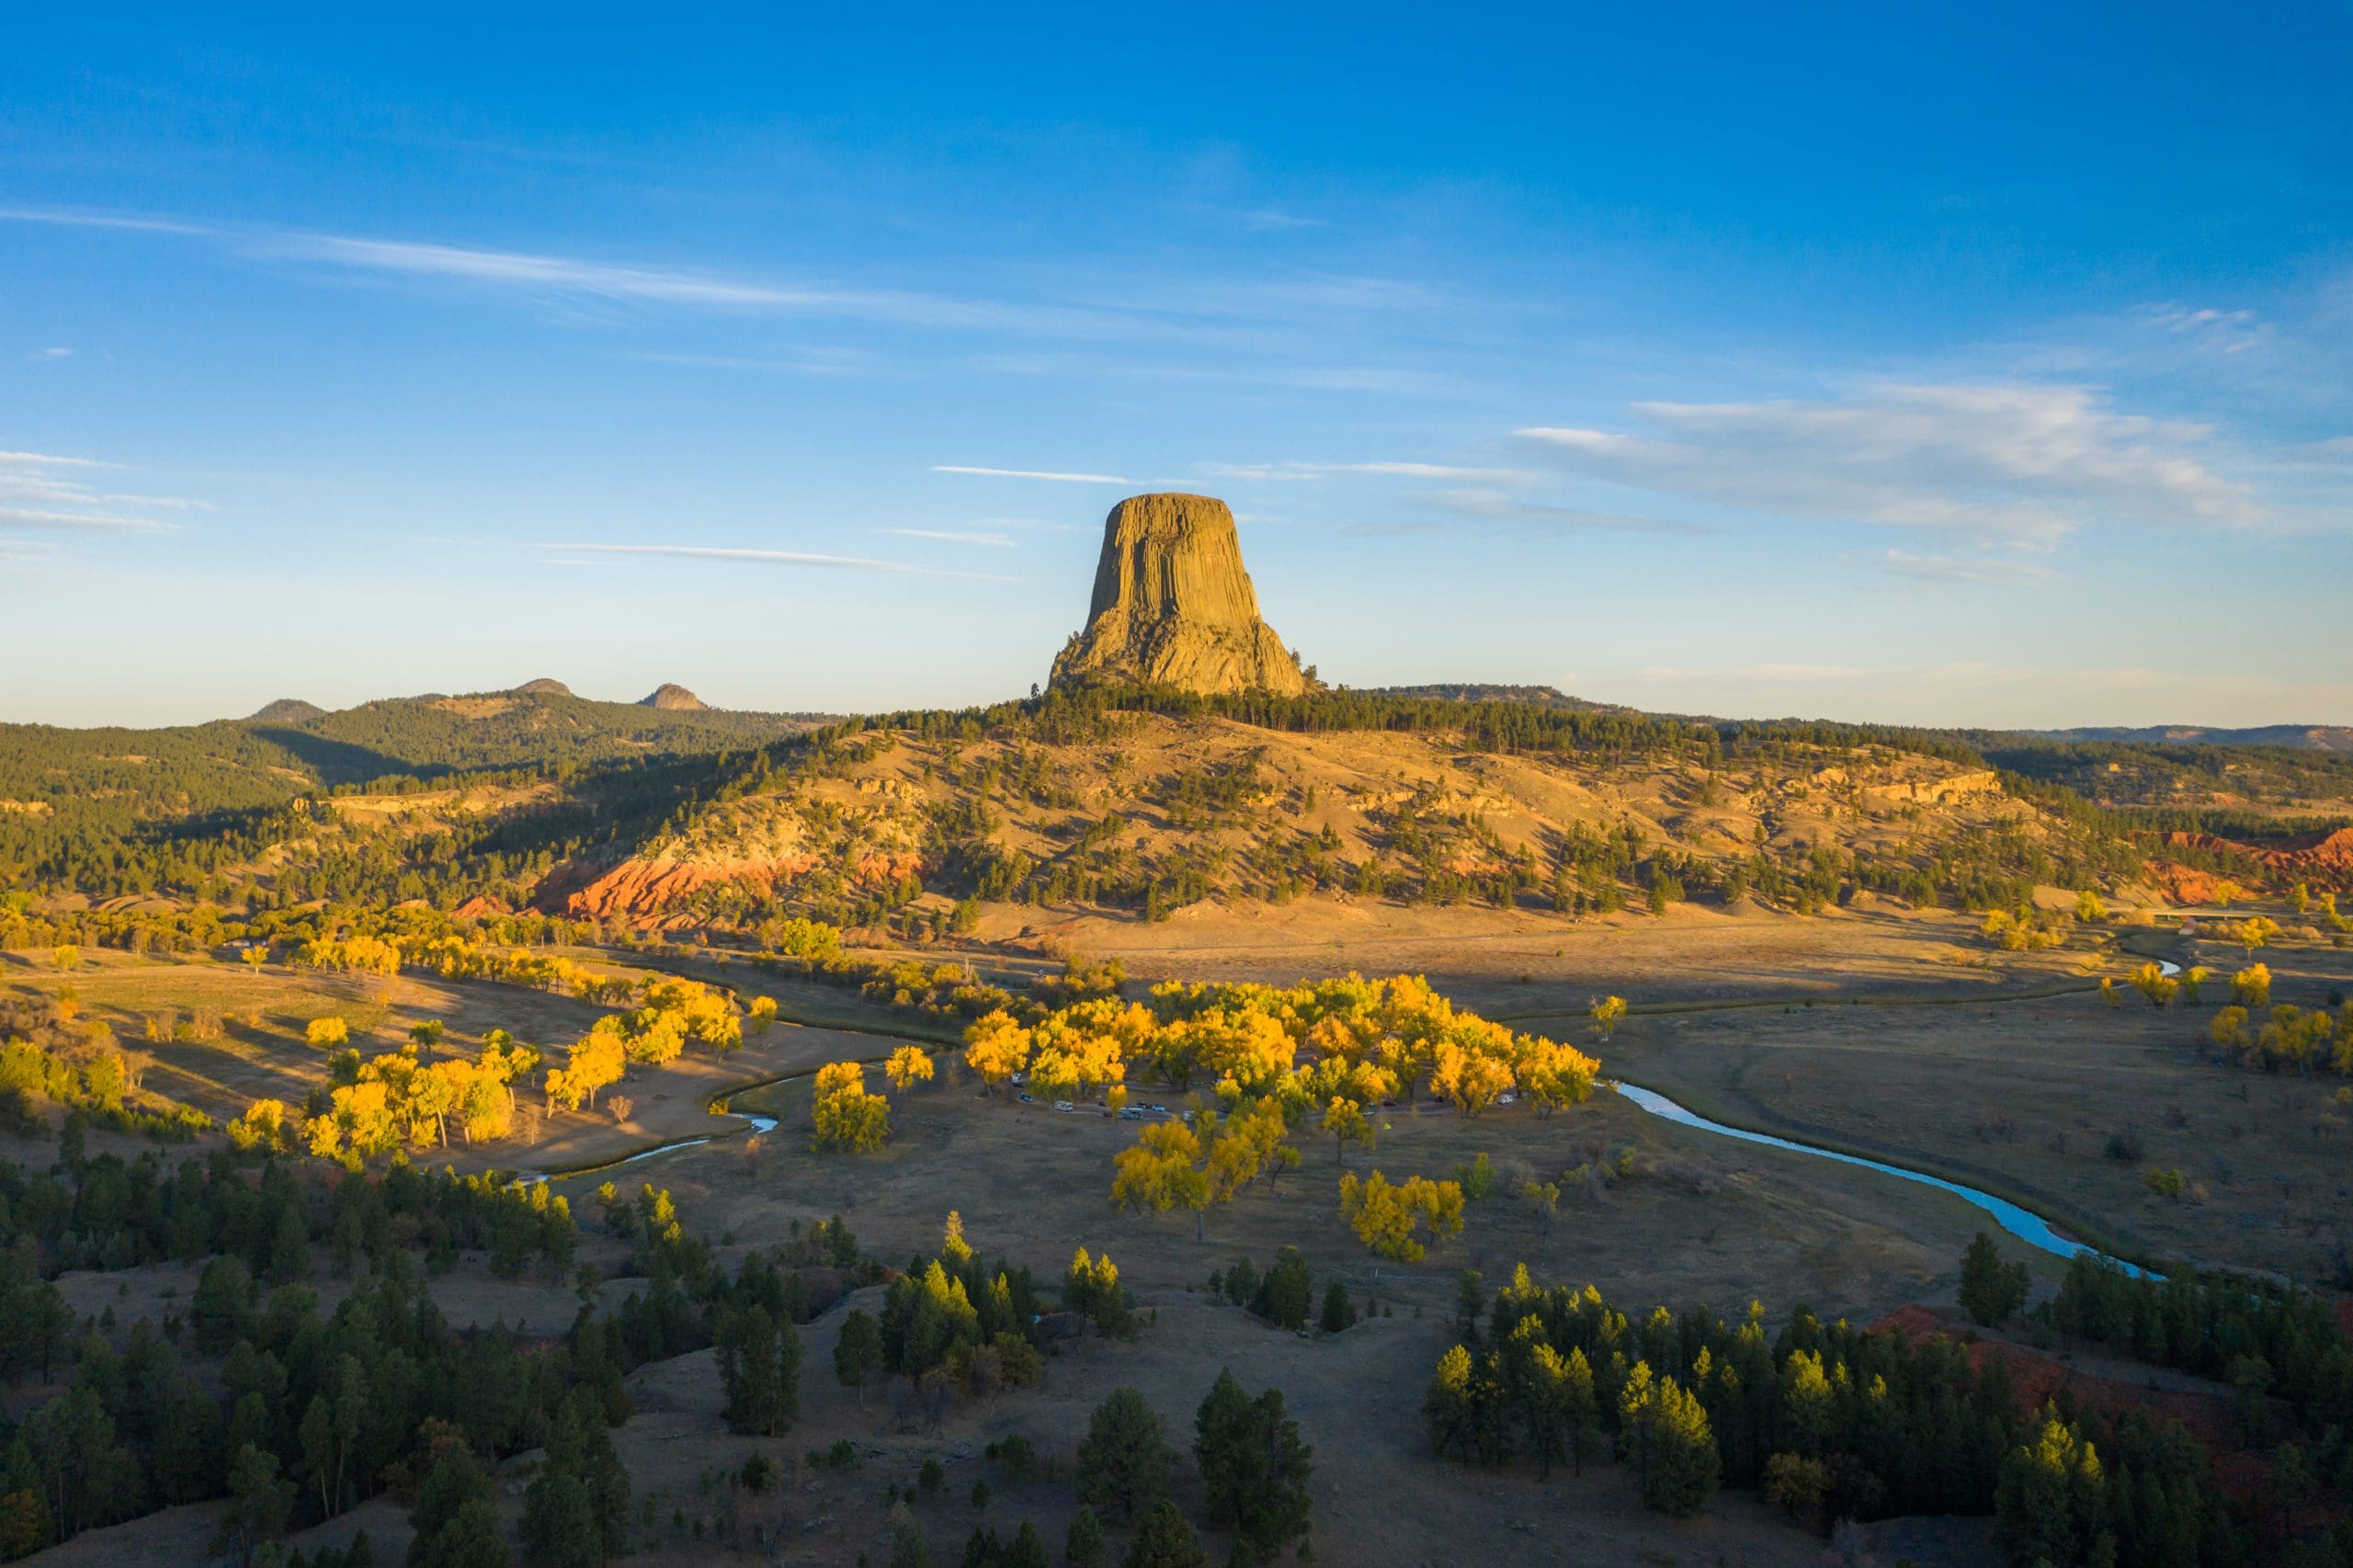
[[1869, 364]]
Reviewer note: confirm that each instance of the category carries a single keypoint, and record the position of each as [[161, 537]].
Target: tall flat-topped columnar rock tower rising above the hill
[[1173, 606]]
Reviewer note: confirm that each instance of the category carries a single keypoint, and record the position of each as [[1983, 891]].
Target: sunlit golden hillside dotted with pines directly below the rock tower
[[1161, 811]]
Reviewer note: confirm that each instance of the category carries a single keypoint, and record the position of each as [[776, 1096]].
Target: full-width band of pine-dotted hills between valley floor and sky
[[1126, 797]]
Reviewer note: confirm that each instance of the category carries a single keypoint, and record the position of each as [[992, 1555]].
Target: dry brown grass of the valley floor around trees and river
[[1877, 1030]]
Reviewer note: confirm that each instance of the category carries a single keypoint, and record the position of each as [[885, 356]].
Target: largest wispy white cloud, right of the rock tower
[[2015, 463]]
